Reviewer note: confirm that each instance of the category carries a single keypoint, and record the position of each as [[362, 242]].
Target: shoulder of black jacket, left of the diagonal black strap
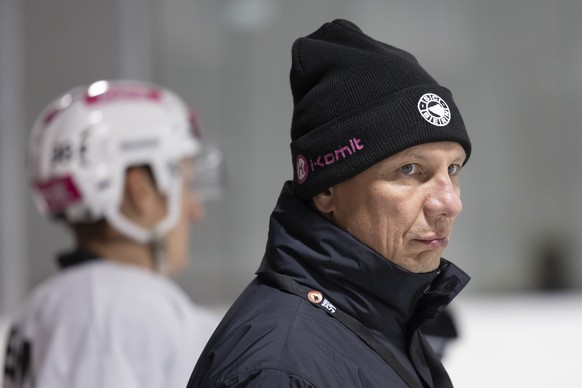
[[272, 335]]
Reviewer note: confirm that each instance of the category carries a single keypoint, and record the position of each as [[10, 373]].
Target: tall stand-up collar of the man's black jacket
[[386, 298]]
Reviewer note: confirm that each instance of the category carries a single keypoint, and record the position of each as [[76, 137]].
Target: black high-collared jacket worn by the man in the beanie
[[272, 338]]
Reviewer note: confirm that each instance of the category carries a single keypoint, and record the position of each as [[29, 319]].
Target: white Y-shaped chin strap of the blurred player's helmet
[[154, 238]]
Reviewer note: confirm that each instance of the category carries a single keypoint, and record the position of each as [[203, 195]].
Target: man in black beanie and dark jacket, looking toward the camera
[[353, 265]]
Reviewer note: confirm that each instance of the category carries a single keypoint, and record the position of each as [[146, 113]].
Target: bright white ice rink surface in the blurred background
[[509, 341]]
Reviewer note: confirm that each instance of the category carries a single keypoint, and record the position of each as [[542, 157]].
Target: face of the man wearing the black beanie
[[402, 207]]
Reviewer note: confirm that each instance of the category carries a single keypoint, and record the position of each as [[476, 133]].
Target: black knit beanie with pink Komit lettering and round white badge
[[358, 101]]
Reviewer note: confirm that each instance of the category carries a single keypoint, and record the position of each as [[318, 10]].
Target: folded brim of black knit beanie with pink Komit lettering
[[355, 141]]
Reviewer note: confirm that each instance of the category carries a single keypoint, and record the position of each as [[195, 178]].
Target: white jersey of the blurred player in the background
[[104, 324]]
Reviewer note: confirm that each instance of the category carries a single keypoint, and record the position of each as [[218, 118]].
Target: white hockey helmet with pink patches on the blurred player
[[83, 142]]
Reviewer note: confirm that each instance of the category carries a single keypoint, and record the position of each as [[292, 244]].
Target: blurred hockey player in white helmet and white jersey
[[116, 162]]
